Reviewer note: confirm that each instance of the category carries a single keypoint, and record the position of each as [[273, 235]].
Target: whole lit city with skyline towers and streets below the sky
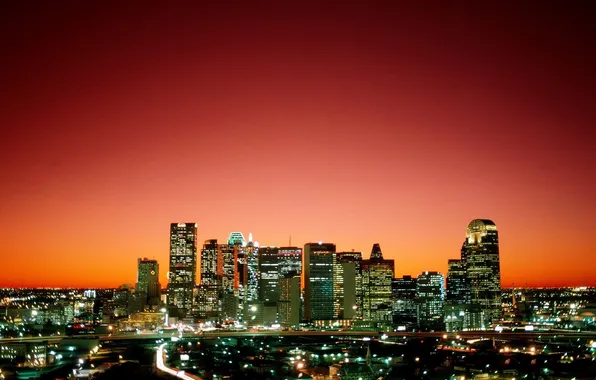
[[245, 287]]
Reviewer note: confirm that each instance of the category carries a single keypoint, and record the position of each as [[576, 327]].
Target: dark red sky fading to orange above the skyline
[[351, 124]]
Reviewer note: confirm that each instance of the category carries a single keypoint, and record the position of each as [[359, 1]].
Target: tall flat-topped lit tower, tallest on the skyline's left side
[[183, 266]]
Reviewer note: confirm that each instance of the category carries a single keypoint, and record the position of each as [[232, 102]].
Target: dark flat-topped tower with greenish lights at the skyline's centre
[[319, 260]]
